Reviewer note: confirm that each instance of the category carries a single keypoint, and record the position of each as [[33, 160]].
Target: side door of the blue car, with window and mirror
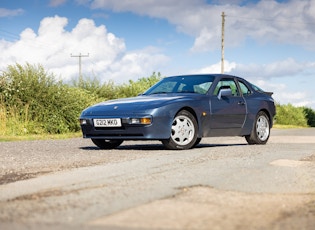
[[228, 112]]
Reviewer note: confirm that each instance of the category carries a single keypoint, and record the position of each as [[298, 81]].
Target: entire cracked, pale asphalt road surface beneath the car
[[223, 183]]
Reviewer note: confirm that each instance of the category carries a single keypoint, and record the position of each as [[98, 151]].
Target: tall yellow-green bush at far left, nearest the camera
[[34, 102]]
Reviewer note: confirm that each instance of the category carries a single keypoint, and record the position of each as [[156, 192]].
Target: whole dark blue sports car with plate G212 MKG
[[181, 110]]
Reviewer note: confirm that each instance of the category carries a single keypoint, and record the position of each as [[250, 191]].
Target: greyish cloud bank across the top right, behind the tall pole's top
[[290, 22]]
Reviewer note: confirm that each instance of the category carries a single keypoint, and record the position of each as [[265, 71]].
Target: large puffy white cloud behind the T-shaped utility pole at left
[[52, 47]]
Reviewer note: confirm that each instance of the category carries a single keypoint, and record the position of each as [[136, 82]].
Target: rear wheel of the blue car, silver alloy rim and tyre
[[261, 130]]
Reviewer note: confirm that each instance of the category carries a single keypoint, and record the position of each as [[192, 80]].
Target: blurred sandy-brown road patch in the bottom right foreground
[[208, 208]]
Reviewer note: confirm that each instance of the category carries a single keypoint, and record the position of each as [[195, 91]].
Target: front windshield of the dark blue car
[[182, 84]]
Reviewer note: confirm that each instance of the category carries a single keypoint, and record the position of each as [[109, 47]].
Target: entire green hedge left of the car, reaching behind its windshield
[[33, 102]]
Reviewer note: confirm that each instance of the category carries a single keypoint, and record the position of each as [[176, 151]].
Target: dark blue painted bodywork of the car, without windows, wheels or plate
[[226, 116]]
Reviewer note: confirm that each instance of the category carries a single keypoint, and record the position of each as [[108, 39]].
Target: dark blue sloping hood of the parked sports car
[[139, 104]]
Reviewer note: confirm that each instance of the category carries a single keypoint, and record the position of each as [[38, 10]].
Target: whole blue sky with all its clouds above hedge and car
[[268, 42]]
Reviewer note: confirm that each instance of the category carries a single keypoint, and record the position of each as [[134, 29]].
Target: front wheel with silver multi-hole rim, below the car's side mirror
[[183, 132]]
